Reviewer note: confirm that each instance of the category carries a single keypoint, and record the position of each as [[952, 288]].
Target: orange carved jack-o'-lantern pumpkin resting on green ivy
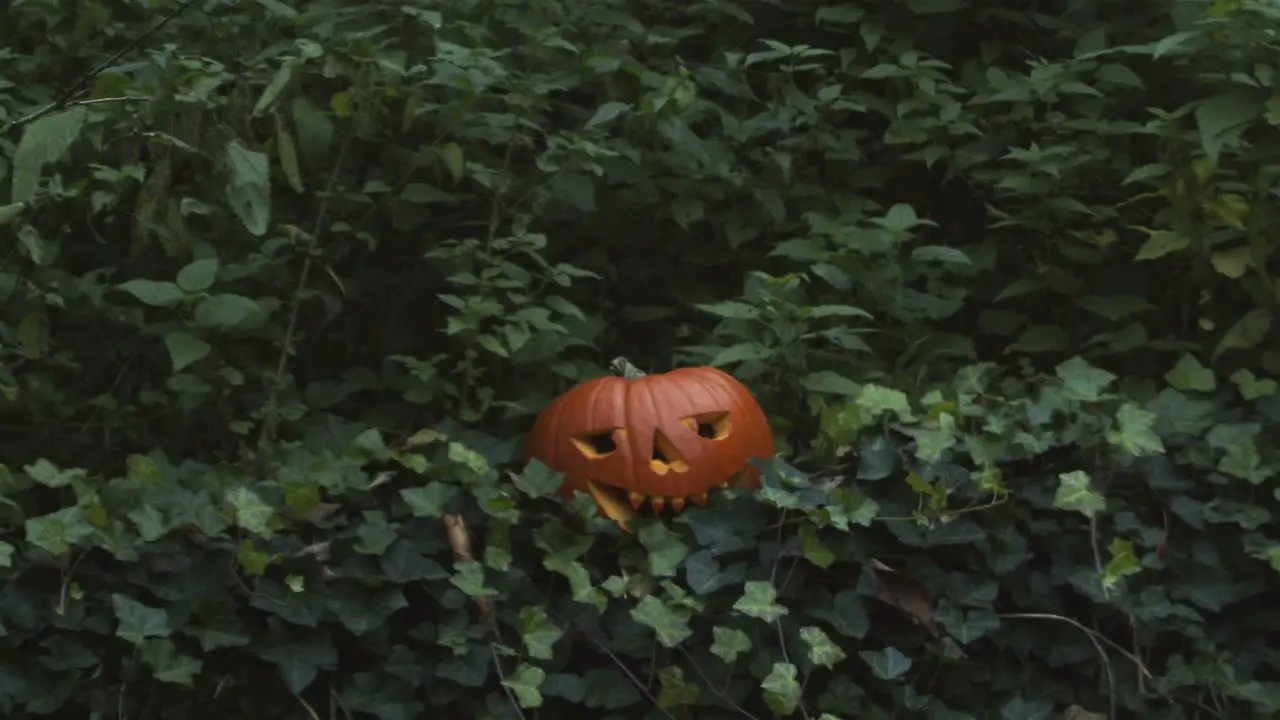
[[662, 440]]
